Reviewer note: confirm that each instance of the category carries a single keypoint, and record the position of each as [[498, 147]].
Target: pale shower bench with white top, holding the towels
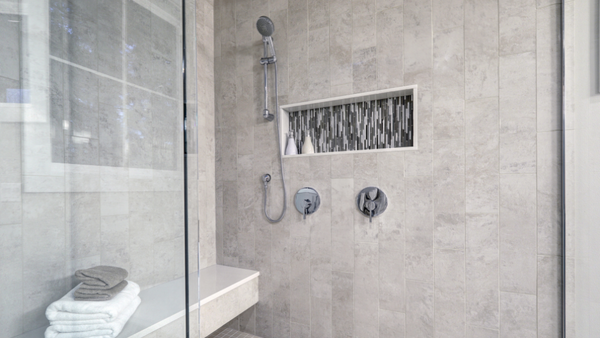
[[225, 292]]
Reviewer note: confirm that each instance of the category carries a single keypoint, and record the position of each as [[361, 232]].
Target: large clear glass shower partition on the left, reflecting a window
[[92, 162]]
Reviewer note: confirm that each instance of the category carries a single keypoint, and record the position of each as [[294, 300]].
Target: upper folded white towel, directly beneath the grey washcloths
[[68, 309]]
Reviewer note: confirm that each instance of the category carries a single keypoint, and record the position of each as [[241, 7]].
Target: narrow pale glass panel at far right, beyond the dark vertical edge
[[582, 141]]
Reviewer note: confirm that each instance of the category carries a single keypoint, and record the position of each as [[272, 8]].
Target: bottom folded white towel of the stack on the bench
[[105, 330]]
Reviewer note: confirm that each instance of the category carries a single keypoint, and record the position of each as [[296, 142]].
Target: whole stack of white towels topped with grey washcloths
[[76, 316]]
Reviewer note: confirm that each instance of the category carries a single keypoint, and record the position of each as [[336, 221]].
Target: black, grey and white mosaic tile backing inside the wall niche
[[376, 124]]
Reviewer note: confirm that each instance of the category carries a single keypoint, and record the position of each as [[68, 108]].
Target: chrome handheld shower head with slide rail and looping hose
[[266, 28]]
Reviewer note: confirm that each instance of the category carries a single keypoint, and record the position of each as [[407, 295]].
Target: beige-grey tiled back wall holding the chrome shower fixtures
[[469, 244]]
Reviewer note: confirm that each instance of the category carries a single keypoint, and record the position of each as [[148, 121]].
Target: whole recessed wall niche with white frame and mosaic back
[[378, 121]]
